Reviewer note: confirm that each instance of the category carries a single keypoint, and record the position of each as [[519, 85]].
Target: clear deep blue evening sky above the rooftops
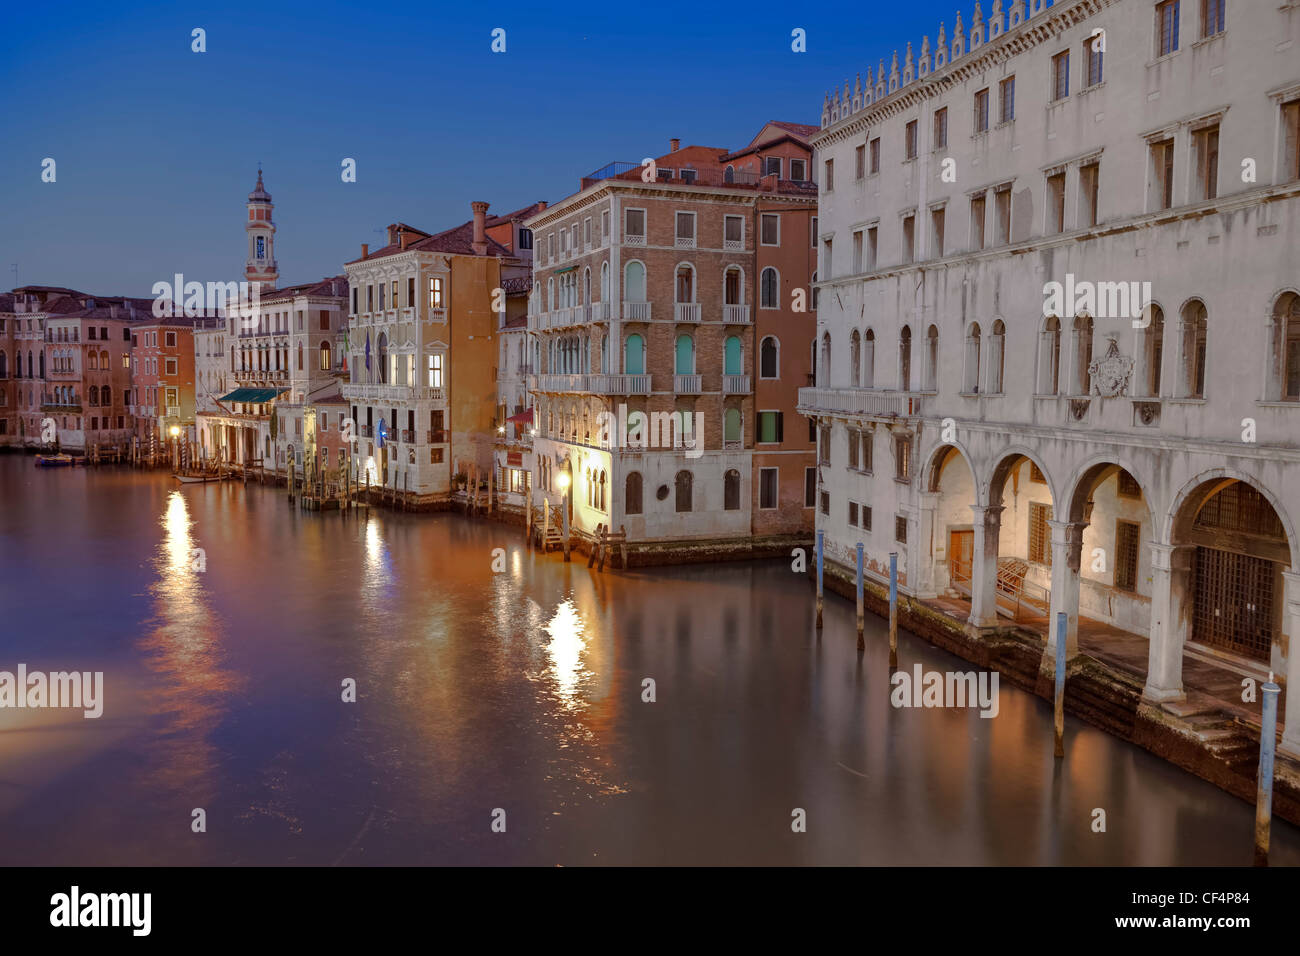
[[158, 148]]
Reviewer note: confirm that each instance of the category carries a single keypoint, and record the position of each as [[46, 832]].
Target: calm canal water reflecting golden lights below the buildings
[[226, 624]]
